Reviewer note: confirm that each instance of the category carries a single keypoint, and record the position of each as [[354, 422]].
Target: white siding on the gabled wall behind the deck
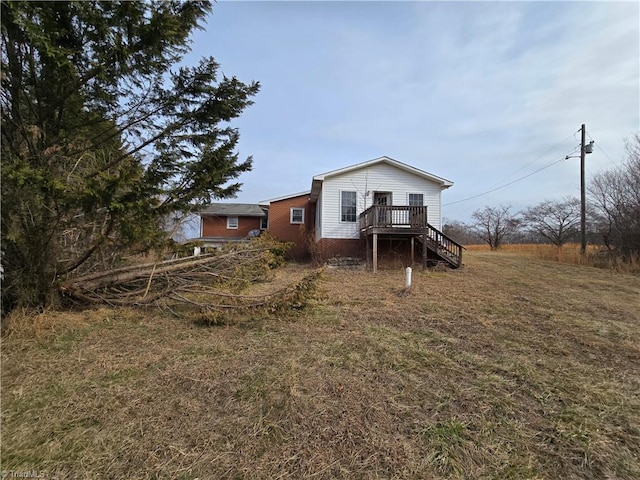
[[376, 178]]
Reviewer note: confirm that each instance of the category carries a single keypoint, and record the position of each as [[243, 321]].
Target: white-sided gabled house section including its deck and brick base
[[380, 205]]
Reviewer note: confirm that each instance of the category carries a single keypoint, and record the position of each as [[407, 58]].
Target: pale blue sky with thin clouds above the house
[[480, 93]]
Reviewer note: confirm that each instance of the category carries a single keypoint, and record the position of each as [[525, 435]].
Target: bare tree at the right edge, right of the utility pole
[[615, 195]]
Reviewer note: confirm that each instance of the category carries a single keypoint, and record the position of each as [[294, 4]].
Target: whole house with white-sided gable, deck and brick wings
[[377, 207]]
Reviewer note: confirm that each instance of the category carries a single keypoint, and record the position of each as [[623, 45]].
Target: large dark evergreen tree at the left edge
[[103, 136]]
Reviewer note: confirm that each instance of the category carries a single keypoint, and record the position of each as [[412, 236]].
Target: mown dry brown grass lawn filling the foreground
[[512, 367]]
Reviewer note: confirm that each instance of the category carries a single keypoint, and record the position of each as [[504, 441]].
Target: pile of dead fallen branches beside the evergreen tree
[[208, 282]]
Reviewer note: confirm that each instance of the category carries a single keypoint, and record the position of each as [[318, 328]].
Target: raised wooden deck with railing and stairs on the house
[[409, 222]]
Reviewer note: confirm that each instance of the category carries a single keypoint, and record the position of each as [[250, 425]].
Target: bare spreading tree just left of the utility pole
[[557, 221]]
